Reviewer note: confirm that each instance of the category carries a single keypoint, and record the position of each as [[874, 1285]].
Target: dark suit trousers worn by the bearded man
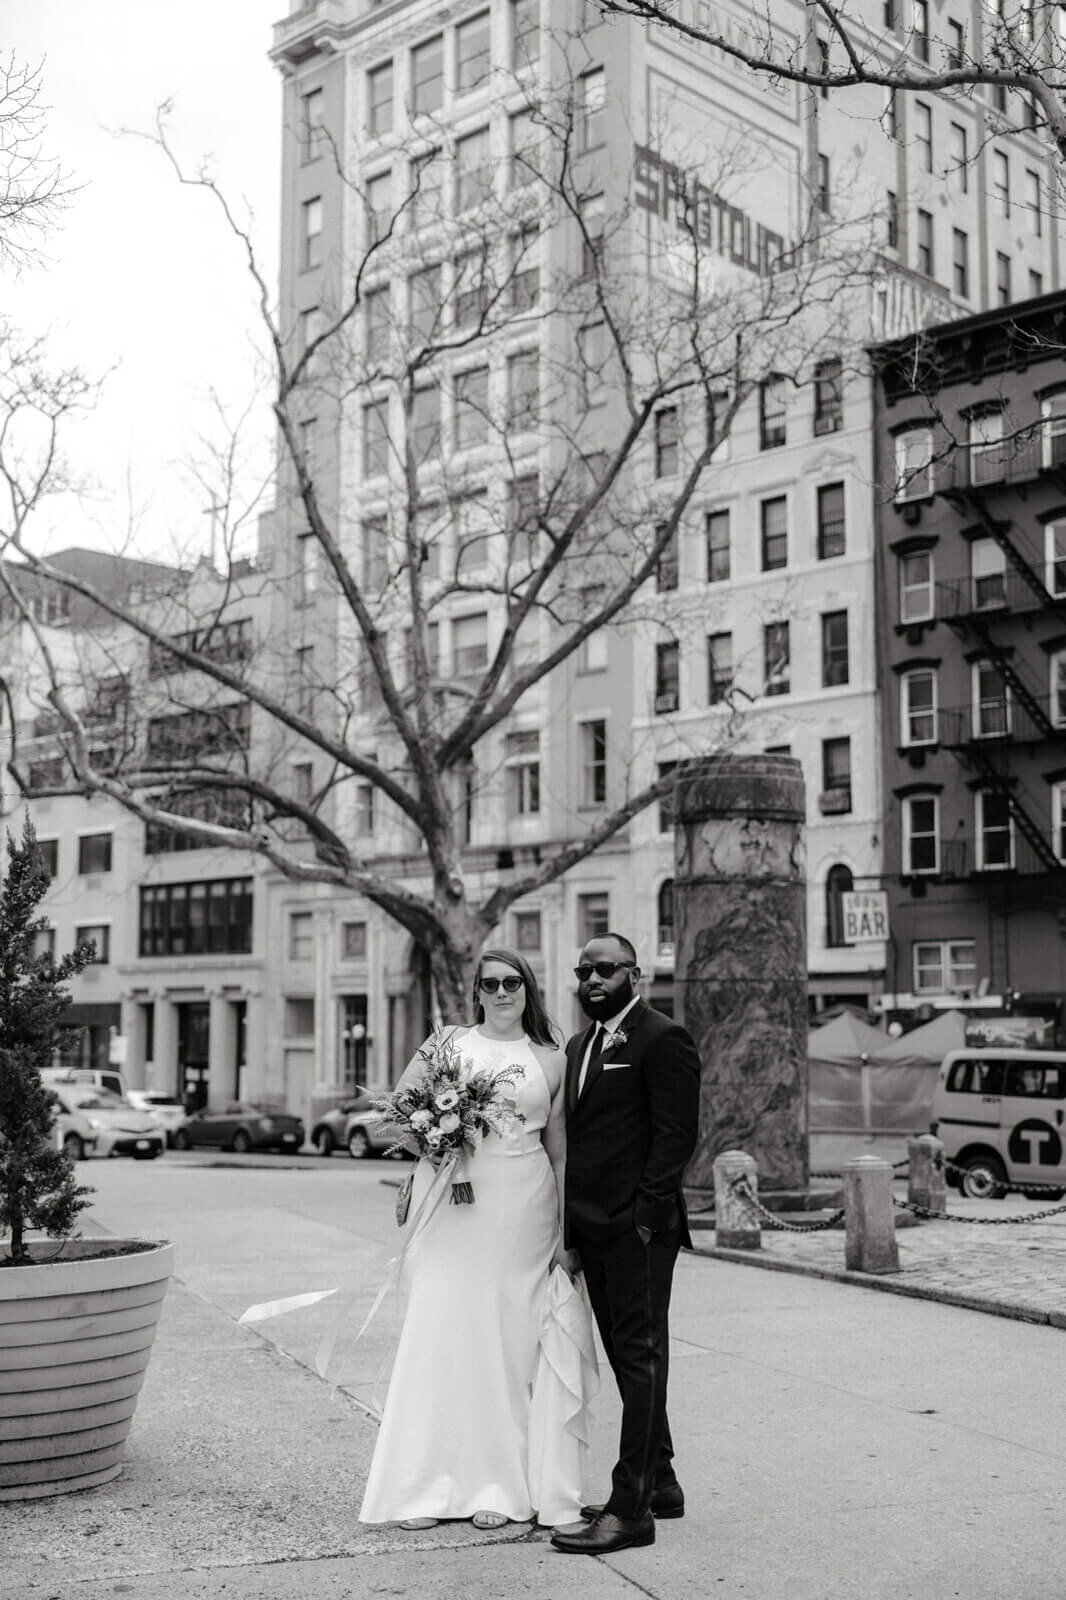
[[630, 1289]]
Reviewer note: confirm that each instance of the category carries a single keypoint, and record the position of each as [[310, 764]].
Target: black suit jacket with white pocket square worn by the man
[[635, 1129]]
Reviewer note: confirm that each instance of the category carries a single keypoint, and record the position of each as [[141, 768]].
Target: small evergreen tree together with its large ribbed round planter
[[78, 1322]]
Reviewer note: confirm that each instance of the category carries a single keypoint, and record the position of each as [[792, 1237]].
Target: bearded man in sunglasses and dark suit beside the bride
[[633, 1114]]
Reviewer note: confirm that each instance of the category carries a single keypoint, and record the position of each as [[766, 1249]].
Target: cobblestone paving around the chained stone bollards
[[1017, 1270]]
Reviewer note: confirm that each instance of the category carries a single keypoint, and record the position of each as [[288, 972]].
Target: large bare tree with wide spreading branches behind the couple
[[492, 426]]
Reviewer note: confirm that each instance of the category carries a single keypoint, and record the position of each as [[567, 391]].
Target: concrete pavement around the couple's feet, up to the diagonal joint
[[833, 1442]]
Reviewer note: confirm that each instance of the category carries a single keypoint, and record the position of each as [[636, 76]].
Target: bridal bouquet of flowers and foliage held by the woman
[[447, 1111]]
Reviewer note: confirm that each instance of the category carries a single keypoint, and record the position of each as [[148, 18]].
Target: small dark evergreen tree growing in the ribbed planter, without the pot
[[38, 1183]]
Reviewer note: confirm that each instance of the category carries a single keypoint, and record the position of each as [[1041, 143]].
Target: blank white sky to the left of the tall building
[[140, 274]]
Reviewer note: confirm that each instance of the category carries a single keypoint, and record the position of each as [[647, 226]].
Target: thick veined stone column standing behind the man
[[740, 966]]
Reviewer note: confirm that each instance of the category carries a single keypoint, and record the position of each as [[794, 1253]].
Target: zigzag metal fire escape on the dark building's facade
[[980, 609]]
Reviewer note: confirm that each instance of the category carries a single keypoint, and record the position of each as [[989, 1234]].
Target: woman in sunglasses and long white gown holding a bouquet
[[455, 1434]]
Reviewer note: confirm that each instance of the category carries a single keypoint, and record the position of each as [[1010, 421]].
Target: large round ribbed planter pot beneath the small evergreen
[[76, 1337]]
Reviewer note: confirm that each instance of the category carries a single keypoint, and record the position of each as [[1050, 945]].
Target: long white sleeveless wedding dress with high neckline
[[473, 1367]]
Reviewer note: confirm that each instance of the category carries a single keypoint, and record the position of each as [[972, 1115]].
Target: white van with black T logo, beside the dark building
[[1001, 1116]]
